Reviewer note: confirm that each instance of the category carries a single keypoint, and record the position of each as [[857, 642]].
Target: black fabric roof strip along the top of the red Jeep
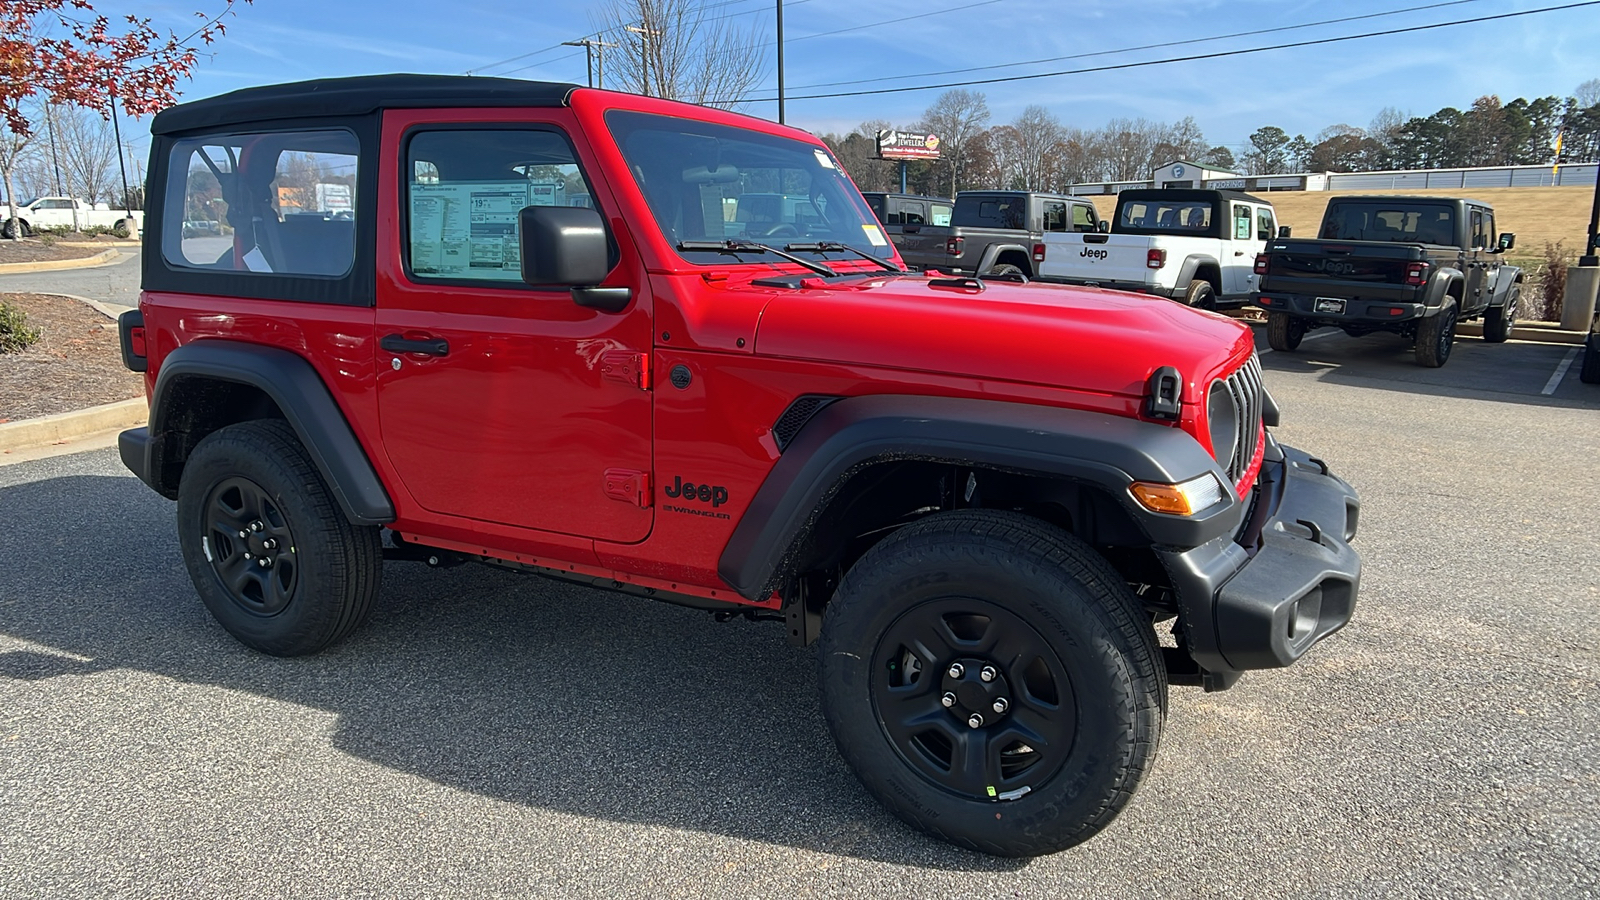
[[356, 97]]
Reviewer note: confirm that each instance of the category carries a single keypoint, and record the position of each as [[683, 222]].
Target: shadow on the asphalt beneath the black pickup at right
[[1511, 372]]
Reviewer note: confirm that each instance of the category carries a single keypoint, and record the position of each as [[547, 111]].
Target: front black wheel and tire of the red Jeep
[[993, 681]]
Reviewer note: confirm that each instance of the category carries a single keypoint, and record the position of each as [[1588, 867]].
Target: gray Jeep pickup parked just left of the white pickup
[[999, 233]]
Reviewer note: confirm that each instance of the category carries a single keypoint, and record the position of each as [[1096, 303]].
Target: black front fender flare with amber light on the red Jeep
[[1098, 449]]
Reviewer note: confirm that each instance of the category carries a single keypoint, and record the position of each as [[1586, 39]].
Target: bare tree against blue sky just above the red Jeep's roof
[[673, 49]]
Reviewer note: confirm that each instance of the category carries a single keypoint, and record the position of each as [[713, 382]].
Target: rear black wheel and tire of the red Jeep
[[266, 545]]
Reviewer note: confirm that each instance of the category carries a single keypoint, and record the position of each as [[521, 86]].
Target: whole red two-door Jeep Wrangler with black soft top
[[670, 352]]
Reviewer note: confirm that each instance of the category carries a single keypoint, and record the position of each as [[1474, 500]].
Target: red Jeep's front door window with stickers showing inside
[[466, 193]]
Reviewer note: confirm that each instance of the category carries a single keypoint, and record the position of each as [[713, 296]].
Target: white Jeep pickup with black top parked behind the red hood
[[1196, 247]]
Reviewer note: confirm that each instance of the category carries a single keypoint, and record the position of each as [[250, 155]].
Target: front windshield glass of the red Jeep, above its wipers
[[708, 182]]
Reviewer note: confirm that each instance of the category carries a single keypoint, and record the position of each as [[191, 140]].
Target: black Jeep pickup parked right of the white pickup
[[1414, 267]]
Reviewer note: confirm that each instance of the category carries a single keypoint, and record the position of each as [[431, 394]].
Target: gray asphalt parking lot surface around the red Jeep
[[492, 734]]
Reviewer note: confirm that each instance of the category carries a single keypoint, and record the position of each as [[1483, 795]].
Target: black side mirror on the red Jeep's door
[[567, 247]]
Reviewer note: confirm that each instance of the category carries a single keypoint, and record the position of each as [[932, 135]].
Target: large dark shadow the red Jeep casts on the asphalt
[[502, 685]]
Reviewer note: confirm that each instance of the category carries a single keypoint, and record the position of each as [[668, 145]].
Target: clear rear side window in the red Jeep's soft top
[[263, 204]]
